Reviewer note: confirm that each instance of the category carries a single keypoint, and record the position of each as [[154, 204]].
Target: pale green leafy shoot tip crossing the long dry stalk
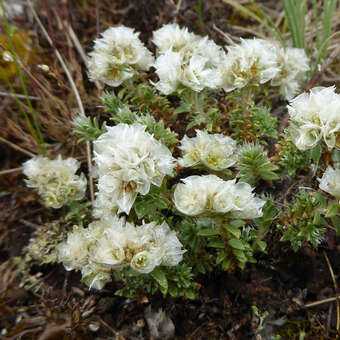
[[88, 128]]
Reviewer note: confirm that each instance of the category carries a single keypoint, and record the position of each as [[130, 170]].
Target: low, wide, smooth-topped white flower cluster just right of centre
[[210, 194]]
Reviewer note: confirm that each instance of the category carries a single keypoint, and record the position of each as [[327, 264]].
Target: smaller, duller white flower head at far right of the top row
[[294, 64]]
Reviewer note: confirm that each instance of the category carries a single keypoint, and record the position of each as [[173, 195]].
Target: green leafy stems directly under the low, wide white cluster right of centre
[[234, 244]]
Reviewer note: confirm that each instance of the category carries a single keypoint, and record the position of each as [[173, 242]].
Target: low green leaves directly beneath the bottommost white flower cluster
[[175, 281]]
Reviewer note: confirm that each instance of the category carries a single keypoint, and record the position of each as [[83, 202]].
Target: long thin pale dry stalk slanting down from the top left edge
[[75, 91]]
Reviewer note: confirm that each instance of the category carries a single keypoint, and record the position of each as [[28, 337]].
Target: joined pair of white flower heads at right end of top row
[[257, 61]]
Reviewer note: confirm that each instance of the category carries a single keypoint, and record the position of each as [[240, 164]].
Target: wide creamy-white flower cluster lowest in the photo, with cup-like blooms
[[113, 244]]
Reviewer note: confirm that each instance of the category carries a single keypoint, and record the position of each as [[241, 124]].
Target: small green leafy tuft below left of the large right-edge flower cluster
[[290, 158]]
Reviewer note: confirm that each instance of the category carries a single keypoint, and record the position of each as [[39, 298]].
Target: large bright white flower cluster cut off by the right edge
[[315, 116]]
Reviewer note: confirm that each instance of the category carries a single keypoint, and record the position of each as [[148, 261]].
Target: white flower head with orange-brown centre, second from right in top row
[[253, 61]]
